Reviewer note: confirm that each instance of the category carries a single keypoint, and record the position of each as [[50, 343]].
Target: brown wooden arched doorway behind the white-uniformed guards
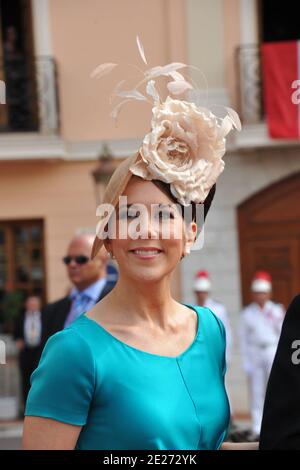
[[269, 238]]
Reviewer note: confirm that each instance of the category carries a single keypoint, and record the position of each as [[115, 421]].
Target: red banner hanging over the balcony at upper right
[[281, 81]]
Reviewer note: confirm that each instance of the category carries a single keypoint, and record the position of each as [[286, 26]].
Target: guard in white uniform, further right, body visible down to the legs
[[260, 327]]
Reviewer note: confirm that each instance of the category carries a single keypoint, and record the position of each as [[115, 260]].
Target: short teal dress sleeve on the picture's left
[[63, 384]]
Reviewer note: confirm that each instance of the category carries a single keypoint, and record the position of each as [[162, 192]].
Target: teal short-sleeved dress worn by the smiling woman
[[125, 398]]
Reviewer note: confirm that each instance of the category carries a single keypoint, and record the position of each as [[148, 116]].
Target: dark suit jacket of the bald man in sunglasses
[[55, 314]]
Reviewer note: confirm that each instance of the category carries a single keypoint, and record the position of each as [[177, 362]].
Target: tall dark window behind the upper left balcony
[[18, 67]]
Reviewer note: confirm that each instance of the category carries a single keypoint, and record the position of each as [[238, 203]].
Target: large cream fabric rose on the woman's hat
[[184, 148]]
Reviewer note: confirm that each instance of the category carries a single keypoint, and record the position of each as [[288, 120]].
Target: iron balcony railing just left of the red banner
[[250, 84]]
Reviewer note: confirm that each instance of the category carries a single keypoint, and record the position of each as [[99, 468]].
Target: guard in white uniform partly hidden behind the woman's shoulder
[[202, 289]]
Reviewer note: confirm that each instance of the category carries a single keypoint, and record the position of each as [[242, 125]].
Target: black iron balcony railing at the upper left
[[31, 96]]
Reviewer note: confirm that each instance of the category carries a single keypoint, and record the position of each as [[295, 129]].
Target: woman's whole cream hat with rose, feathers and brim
[[184, 147]]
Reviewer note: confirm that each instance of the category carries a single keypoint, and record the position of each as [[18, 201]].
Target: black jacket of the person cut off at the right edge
[[281, 416]]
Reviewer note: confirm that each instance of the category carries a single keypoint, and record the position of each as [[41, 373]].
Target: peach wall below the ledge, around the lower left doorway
[[59, 193]]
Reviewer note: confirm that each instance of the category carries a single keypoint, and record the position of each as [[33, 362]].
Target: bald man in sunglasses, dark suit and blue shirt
[[90, 285]]
